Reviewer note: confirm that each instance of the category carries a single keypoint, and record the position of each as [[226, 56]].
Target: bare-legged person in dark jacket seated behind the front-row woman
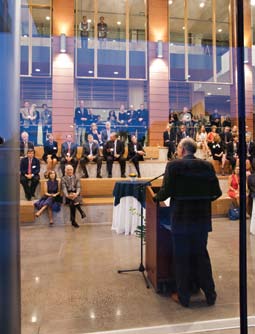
[[50, 153]]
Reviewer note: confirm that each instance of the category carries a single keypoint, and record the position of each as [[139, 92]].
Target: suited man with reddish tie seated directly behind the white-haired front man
[[68, 154]]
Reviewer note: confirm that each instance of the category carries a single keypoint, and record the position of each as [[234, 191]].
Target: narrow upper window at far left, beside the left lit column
[[35, 38]]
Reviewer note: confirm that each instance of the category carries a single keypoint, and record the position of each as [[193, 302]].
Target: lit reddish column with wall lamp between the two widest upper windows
[[158, 70]]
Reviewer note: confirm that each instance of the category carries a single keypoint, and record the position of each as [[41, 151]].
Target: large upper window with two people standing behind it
[[111, 39]]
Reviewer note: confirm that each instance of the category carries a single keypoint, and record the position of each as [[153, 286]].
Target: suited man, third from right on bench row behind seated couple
[[90, 153]]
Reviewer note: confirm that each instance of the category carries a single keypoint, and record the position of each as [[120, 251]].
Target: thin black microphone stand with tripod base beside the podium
[[141, 268]]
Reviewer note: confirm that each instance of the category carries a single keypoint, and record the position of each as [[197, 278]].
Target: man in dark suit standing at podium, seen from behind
[[191, 184]]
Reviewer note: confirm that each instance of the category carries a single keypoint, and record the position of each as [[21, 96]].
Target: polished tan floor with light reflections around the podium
[[70, 284]]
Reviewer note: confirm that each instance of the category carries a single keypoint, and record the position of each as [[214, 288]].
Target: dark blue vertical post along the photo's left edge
[[10, 315]]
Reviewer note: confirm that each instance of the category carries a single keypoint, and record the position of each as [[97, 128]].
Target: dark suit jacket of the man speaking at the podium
[[192, 185]]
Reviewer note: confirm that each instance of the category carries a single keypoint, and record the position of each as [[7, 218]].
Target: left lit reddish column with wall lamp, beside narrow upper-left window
[[63, 70]]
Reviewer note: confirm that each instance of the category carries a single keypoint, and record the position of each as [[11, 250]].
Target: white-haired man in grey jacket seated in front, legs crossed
[[71, 188]]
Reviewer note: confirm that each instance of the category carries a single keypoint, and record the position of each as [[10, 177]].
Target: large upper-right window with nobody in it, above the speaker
[[200, 41]]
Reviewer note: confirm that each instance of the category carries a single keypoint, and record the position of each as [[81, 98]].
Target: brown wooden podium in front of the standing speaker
[[158, 262]]
